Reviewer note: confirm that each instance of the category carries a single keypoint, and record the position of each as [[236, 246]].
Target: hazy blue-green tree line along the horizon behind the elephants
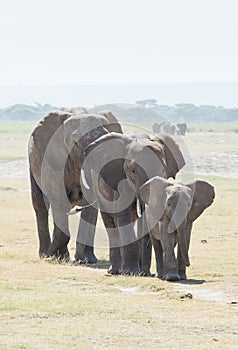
[[140, 112]]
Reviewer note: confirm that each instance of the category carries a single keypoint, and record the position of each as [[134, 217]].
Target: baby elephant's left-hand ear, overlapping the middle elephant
[[153, 193]]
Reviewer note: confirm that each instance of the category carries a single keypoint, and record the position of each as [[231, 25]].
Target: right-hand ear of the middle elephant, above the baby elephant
[[173, 155]]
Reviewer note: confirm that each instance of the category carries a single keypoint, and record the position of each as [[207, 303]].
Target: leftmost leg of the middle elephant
[[114, 243]]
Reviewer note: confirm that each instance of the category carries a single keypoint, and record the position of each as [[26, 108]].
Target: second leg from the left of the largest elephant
[[61, 235]]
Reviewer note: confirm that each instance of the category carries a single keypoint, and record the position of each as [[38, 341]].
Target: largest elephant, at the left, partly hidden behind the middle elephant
[[55, 148]]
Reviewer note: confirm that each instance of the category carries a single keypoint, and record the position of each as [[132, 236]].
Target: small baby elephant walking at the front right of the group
[[174, 207]]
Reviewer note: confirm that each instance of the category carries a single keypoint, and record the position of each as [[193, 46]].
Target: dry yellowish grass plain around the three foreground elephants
[[45, 304]]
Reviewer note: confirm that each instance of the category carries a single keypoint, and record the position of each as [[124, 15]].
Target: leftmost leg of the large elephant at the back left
[[41, 207]]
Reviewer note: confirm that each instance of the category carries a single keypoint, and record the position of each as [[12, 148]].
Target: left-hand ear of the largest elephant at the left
[[49, 132]]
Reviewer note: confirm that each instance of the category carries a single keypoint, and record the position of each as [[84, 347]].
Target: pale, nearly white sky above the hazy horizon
[[50, 42]]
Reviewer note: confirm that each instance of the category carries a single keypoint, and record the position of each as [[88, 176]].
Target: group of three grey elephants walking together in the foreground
[[82, 159]]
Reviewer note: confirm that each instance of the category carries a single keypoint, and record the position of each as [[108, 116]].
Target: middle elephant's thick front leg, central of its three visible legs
[[129, 243]]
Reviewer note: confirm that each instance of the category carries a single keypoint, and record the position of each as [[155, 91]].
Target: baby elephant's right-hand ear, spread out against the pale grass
[[203, 196]]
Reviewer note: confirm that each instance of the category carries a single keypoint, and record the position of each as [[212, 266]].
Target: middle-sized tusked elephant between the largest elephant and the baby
[[135, 161]]
